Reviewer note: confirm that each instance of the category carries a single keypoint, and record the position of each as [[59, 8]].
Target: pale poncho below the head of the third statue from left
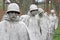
[[44, 27]]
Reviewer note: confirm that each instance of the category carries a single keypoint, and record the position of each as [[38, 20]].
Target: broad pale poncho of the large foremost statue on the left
[[13, 31]]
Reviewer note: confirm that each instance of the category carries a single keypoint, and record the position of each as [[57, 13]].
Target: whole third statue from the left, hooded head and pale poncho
[[43, 23]]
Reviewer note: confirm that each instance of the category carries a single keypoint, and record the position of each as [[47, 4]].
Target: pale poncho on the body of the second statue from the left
[[34, 29]]
